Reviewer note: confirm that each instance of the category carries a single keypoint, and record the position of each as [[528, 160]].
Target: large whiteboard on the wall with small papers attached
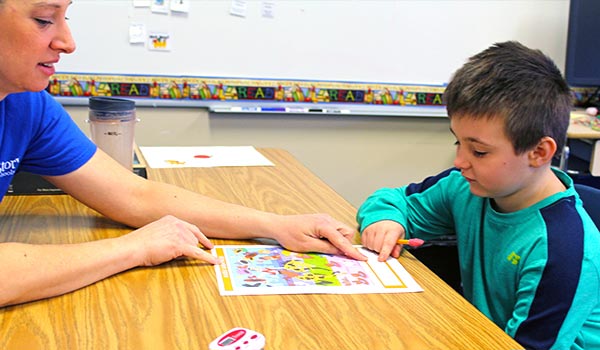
[[409, 41]]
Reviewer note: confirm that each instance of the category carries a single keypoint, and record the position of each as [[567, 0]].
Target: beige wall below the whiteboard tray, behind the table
[[354, 155]]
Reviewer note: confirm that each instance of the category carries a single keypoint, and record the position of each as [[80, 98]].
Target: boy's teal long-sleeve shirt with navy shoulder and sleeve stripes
[[534, 272]]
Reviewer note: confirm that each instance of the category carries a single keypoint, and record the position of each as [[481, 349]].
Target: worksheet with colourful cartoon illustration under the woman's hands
[[271, 269]]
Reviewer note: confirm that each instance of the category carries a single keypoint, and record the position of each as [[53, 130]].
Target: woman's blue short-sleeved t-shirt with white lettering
[[38, 136]]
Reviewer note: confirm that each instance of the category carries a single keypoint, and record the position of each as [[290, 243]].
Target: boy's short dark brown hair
[[521, 85]]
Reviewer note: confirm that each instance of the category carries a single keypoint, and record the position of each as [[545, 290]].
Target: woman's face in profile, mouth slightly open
[[34, 34]]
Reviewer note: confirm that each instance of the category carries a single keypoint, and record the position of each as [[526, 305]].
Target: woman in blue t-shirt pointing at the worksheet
[[37, 135]]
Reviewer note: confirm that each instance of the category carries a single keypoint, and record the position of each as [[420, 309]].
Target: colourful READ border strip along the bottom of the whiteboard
[[234, 89]]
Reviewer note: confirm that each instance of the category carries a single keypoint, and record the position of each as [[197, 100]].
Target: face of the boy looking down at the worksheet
[[487, 159]]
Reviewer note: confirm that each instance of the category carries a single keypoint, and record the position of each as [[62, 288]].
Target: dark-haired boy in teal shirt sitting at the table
[[529, 253]]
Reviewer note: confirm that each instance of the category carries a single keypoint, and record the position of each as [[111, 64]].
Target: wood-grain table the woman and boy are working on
[[177, 305]]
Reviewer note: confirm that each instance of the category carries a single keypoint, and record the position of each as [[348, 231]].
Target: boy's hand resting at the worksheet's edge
[[382, 237]]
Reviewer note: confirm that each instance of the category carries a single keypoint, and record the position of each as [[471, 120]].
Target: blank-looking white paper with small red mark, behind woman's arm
[[203, 157]]
